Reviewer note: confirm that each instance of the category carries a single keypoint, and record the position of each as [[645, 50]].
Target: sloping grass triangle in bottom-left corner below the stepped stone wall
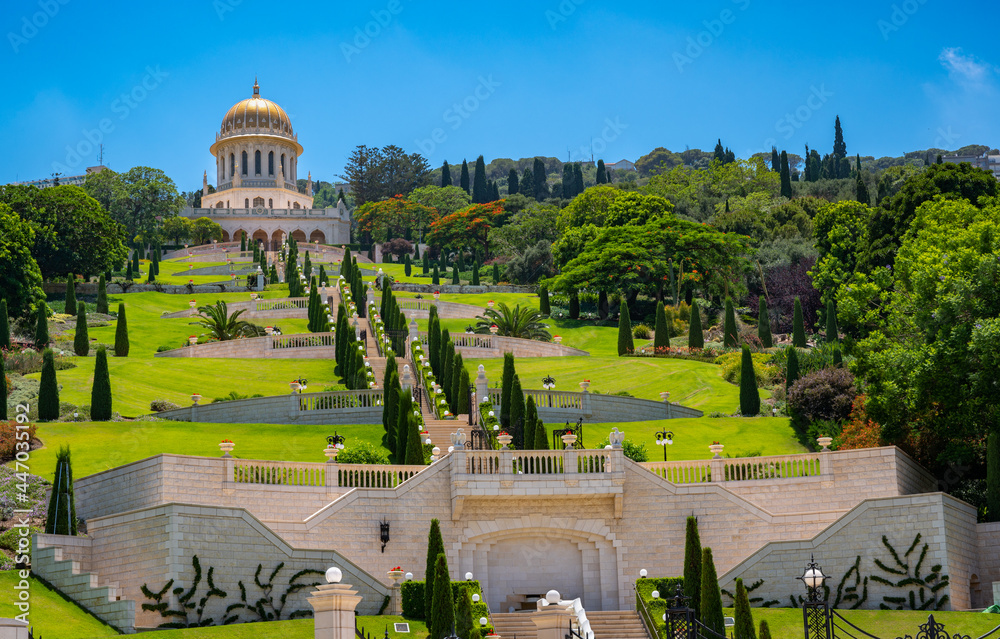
[[50, 615]]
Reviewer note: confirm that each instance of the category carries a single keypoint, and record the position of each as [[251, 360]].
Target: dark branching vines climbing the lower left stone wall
[[191, 611]]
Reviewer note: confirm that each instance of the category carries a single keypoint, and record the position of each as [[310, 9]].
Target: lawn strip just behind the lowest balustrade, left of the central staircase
[[99, 446]]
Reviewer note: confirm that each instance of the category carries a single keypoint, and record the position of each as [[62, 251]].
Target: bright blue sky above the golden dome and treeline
[[512, 79]]
